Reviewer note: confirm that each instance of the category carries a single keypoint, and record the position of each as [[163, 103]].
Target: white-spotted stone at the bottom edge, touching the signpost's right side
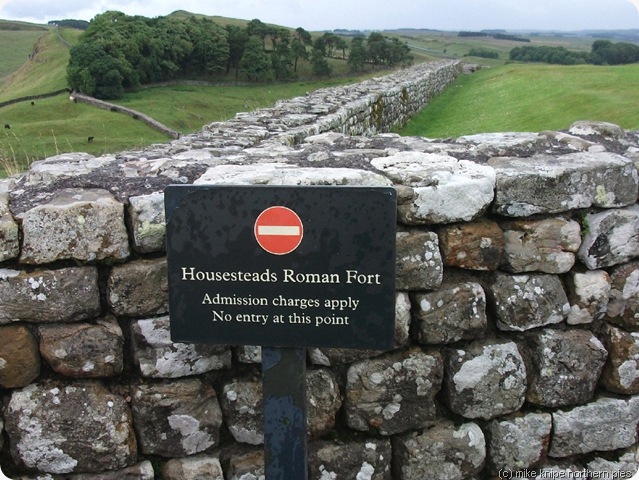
[[366, 459]]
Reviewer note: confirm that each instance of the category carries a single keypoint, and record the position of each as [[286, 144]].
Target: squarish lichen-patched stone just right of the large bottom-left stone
[[176, 418]]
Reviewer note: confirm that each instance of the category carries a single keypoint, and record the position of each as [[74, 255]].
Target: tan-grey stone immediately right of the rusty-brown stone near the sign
[[547, 246]]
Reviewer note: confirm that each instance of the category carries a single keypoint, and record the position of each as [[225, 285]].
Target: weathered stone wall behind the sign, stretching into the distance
[[517, 339]]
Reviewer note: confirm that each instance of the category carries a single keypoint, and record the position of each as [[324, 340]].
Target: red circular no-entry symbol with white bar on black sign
[[278, 230]]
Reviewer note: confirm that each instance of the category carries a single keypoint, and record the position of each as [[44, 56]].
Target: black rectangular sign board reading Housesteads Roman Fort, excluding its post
[[282, 266]]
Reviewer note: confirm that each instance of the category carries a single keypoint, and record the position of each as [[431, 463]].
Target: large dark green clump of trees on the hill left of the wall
[[118, 53]]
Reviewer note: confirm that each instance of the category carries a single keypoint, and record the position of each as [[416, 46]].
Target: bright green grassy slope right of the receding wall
[[531, 97]]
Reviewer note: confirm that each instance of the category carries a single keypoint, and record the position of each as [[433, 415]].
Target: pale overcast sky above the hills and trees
[[358, 14]]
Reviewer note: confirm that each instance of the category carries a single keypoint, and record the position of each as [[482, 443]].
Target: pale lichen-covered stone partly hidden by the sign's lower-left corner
[[158, 357]]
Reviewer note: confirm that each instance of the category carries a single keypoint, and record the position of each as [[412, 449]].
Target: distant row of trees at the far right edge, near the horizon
[[603, 52]]
